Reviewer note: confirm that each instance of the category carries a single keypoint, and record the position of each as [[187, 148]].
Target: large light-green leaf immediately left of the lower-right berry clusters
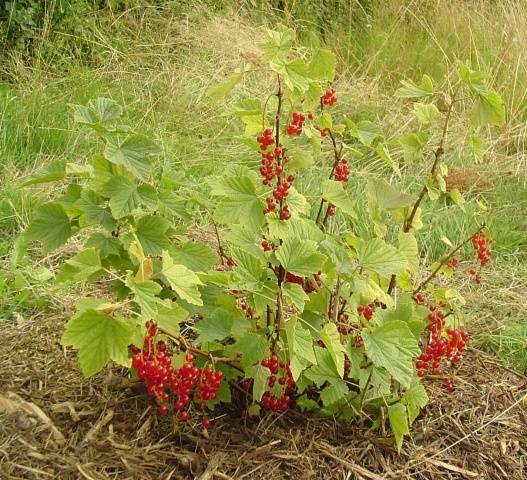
[[393, 347]]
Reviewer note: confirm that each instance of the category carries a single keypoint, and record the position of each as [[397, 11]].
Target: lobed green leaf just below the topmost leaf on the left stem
[[133, 153]]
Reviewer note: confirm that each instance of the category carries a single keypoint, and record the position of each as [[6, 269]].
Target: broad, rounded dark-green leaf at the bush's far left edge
[[51, 226]]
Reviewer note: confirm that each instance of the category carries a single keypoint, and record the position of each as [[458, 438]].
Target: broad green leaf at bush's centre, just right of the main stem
[[300, 256]]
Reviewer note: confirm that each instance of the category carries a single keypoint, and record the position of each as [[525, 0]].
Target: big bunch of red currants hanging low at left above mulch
[[154, 366]]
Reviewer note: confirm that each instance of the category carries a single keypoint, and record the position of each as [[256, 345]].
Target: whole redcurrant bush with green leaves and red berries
[[295, 304]]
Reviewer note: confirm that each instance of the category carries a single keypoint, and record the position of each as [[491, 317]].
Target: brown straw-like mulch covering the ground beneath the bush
[[103, 429]]
